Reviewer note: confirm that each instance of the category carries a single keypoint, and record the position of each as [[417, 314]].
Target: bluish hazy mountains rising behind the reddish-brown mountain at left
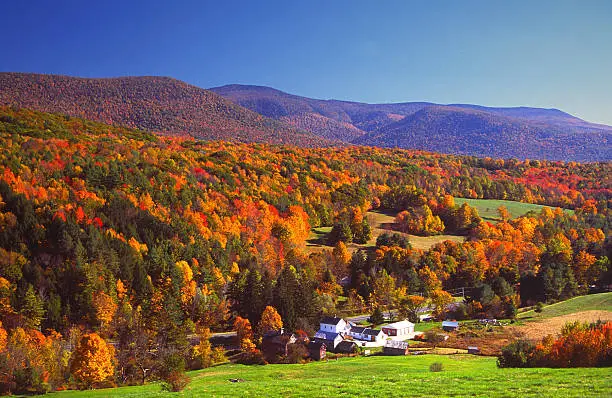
[[521, 132]]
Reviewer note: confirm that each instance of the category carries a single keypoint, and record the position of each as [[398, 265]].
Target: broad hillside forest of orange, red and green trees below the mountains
[[145, 239]]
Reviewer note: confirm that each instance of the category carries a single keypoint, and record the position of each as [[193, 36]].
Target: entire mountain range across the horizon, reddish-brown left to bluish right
[[262, 114]]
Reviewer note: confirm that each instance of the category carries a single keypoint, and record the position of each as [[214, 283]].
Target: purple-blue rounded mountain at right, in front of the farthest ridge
[[469, 131]]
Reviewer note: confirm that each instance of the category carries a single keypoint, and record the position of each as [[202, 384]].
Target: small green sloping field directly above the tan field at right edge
[[599, 302]]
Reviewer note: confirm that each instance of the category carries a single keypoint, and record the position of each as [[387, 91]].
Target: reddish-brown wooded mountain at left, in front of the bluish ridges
[[157, 104]]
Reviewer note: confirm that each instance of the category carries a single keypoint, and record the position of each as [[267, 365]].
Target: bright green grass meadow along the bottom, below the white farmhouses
[[463, 375]]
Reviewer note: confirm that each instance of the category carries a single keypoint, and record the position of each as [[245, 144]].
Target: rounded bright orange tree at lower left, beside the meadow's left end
[[92, 360]]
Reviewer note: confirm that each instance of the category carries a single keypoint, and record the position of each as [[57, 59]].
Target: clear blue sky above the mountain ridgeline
[[499, 53]]
